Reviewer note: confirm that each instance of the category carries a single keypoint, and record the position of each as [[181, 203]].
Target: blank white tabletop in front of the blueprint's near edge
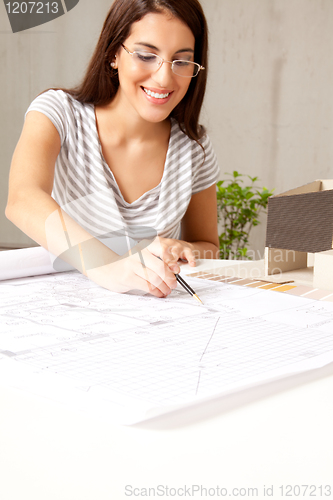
[[273, 436]]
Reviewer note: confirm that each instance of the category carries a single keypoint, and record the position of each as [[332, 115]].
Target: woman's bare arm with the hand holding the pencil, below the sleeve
[[31, 208]]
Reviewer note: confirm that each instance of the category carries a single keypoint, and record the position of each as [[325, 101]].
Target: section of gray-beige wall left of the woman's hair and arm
[[52, 55]]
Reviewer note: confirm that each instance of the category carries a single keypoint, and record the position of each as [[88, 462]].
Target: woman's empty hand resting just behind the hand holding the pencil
[[171, 251]]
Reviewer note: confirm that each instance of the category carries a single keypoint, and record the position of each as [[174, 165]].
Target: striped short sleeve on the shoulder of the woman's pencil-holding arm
[[55, 104]]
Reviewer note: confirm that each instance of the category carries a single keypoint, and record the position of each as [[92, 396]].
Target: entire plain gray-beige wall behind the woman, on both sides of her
[[269, 104]]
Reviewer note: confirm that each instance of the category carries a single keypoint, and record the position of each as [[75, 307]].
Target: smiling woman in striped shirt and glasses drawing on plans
[[122, 158]]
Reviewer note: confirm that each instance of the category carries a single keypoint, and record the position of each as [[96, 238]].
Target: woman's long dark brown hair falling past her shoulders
[[100, 83]]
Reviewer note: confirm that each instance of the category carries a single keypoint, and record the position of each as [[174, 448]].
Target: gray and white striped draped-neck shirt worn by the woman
[[86, 189]]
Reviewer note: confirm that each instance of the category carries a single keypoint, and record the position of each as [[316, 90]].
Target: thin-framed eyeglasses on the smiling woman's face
[[153, 62]]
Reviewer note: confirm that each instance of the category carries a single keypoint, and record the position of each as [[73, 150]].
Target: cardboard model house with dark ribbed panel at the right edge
[[299, 222]]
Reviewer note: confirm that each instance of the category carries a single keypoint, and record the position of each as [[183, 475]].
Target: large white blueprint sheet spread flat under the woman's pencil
[[136, 356]]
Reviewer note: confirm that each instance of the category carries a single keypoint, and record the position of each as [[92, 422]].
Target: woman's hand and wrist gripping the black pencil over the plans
[[142, 270]]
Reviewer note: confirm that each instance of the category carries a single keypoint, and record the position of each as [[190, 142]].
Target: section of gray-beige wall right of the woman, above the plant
[[269, 107]]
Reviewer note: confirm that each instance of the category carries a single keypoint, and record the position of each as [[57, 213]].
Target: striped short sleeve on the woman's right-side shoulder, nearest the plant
[[205, 169]]
